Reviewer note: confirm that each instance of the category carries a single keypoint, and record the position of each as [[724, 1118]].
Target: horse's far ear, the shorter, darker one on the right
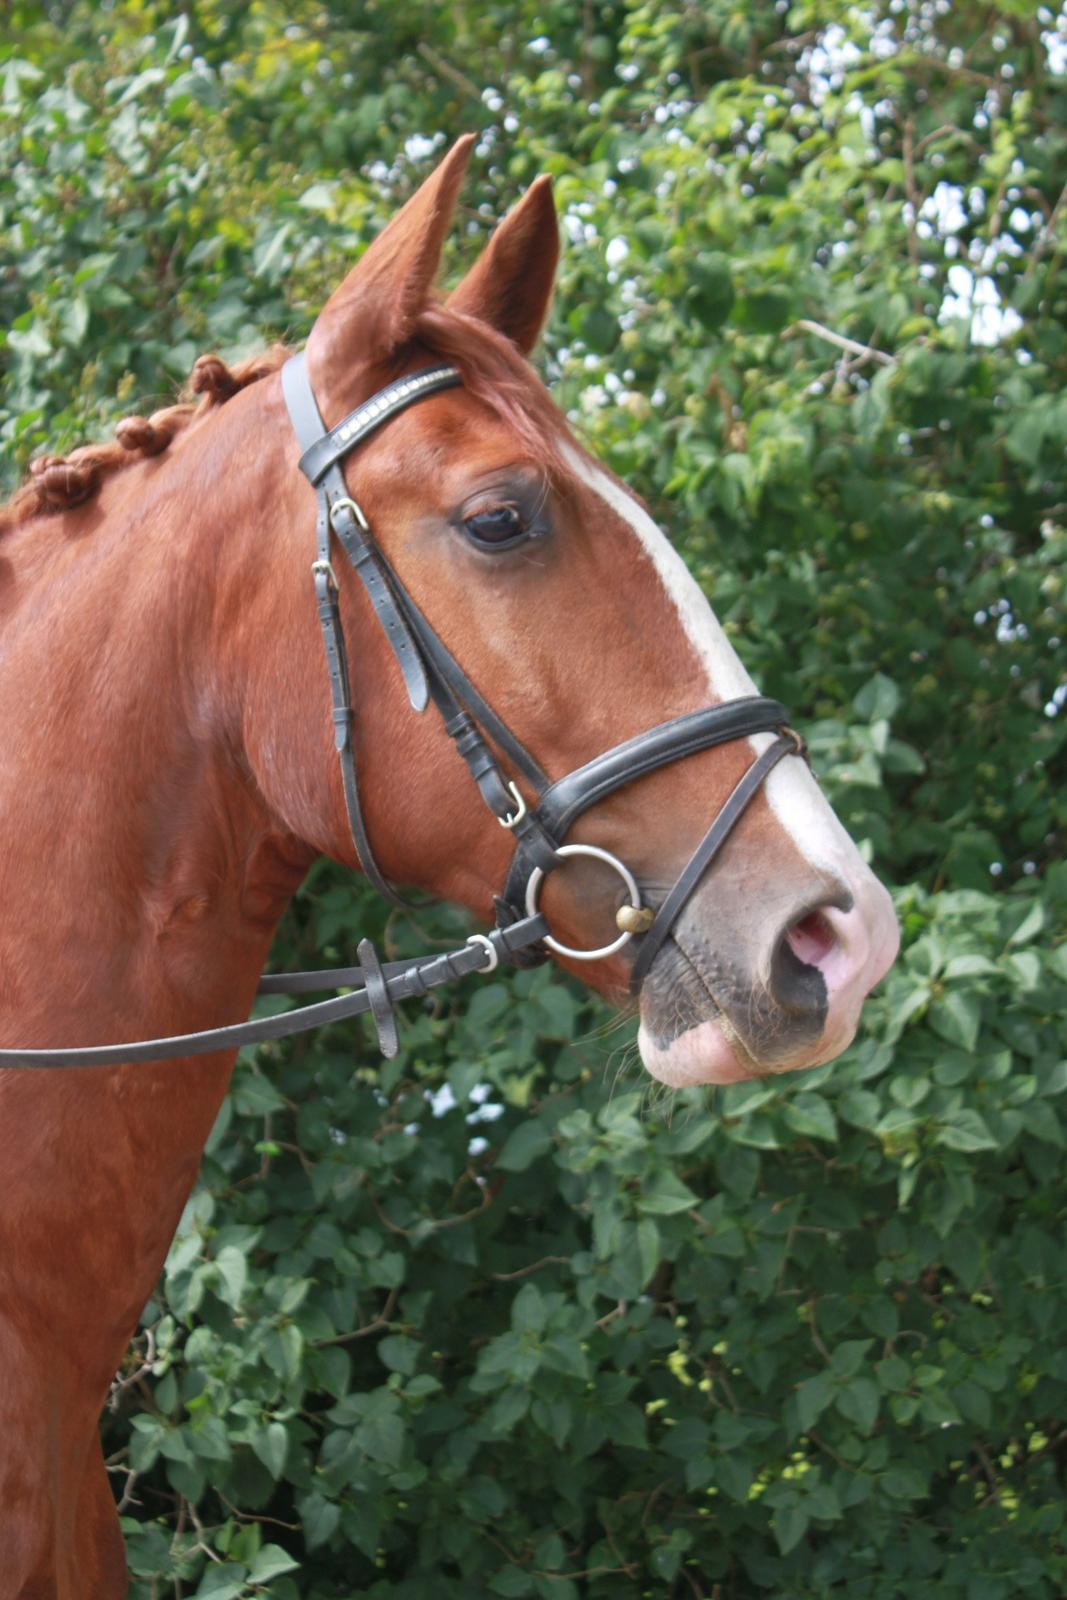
[[511, 282]]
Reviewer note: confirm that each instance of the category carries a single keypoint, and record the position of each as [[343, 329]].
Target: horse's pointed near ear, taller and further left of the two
[[377, 306]]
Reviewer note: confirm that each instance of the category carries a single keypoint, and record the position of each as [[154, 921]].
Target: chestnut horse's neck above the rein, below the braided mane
[[146, 639]]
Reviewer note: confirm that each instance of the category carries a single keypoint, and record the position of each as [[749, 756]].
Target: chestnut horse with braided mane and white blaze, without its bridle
[[169, 777]]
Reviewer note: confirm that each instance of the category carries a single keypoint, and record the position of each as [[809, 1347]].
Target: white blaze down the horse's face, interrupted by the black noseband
[[791, 790]]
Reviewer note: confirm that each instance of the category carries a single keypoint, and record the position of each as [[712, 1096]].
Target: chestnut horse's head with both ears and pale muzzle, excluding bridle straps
[[580, 625]]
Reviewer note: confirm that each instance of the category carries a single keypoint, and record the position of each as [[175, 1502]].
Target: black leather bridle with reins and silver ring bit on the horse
[[431, 673]]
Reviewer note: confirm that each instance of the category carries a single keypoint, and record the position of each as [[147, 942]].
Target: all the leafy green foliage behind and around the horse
[[494, 1319]]
